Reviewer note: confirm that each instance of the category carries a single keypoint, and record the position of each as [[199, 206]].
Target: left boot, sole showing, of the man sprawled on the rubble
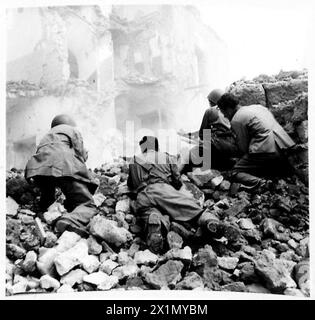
[[155, 239]]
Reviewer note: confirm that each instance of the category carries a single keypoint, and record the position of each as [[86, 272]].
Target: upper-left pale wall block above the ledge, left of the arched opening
[[36, 48]]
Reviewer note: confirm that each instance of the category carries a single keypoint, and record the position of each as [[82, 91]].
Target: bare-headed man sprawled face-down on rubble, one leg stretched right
[[155, 178]]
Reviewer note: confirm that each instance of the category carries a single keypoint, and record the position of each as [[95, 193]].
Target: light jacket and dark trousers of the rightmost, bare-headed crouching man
[[262, 141]]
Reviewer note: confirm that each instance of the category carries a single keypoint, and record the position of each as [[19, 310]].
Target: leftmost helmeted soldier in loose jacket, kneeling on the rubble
[[60, 162]]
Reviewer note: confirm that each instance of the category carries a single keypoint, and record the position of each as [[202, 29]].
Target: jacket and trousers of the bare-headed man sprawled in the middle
[[156, 180]]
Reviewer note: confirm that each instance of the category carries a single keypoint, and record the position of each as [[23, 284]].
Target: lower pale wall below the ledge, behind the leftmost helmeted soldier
[[93, 116]]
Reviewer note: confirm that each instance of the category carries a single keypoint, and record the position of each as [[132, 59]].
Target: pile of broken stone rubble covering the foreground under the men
[[266, 259]]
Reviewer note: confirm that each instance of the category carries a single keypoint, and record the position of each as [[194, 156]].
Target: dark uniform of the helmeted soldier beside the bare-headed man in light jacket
[[218, 141]]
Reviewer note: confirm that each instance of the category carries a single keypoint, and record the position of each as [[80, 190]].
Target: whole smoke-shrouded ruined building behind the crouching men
[[152, 65]]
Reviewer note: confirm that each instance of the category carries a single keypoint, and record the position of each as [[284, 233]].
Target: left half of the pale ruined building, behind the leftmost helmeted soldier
[[39, 80]]
